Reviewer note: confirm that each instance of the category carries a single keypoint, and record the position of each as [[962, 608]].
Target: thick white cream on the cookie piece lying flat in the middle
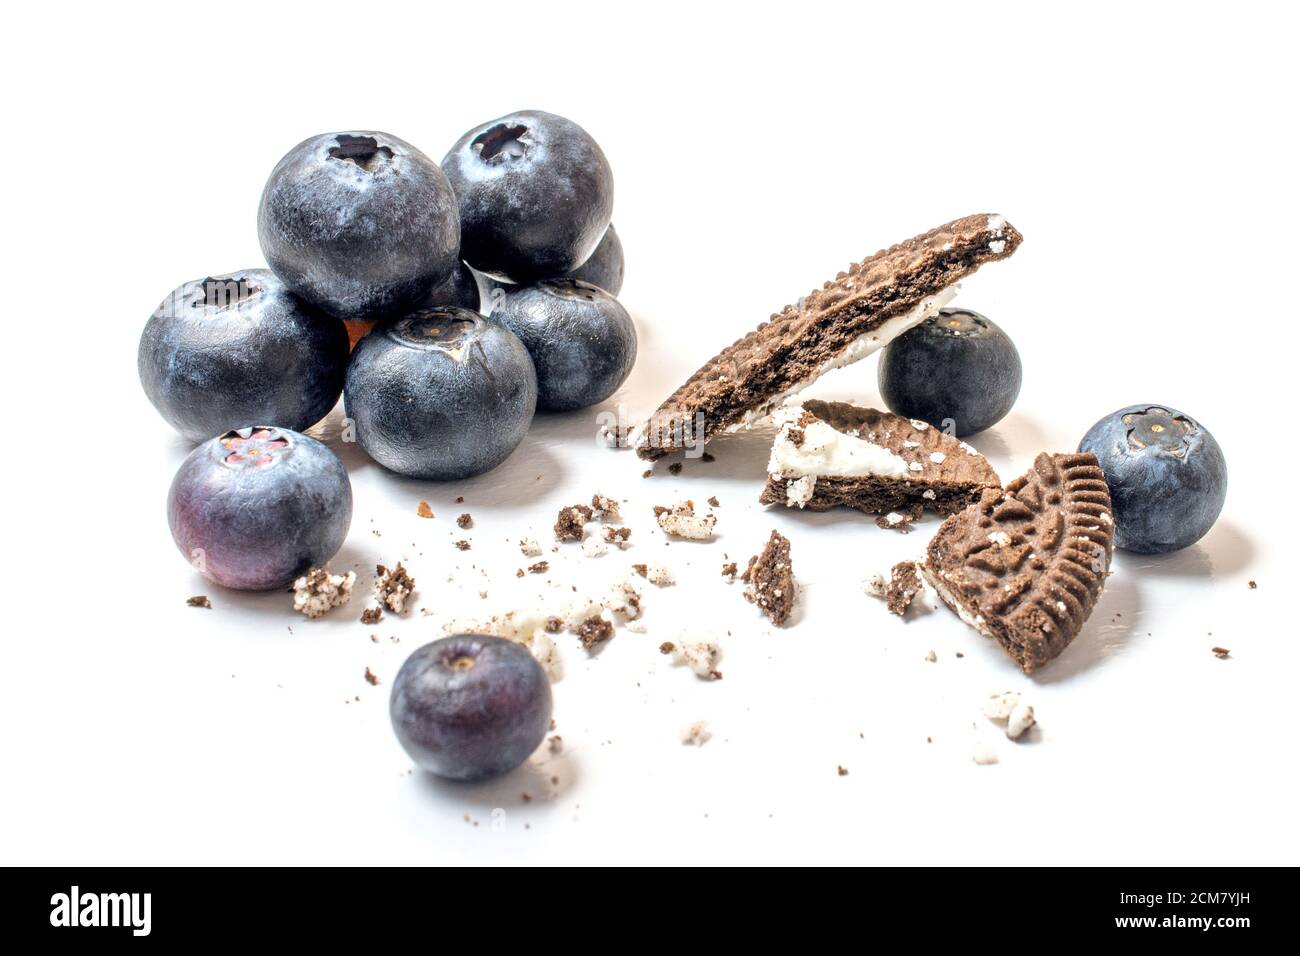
[[826, 453]]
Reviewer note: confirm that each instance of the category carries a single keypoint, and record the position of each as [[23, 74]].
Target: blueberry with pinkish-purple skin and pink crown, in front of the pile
[[258, 507]]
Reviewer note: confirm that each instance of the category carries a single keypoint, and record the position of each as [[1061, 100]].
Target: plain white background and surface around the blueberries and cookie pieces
[[1147, 153]]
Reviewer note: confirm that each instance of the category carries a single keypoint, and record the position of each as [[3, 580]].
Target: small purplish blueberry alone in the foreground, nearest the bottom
[[471, 707]]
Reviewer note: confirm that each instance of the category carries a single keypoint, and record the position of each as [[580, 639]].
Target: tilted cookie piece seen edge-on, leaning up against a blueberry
[[850, 318]]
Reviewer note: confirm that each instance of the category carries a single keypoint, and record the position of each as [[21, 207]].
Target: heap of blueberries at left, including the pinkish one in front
[[382, 265]]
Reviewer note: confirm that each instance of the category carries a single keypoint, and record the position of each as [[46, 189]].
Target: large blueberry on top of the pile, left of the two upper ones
[[359, 224]]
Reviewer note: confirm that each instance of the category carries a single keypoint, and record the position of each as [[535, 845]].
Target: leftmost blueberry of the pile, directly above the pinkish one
[[228, 352]]
